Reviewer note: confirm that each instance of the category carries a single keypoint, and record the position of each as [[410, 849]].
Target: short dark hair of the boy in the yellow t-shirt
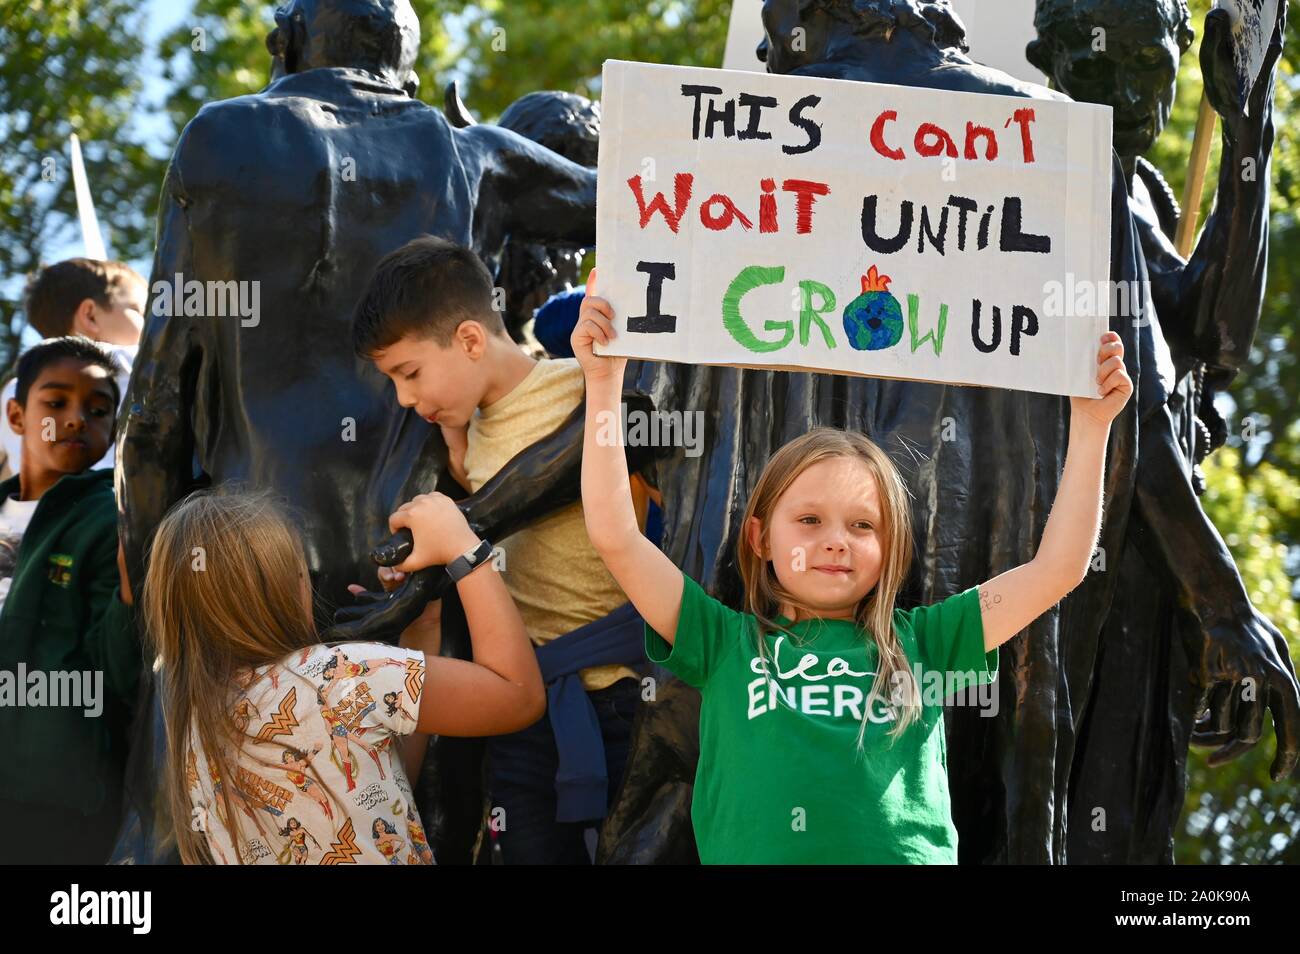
[[427, 288]]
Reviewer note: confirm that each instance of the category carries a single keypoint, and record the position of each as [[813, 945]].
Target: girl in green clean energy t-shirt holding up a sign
[[821, 726]]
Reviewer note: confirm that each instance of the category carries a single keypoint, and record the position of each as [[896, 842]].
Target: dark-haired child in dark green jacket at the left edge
[[70, 656]]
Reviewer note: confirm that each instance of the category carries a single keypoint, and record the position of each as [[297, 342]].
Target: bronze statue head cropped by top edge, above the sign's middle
[[799, 32]]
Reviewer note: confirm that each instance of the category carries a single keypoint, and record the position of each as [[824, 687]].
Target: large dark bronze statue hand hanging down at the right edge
[[1247, 669]]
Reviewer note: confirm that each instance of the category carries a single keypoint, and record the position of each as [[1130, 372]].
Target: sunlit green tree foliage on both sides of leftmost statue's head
[[75, 66]]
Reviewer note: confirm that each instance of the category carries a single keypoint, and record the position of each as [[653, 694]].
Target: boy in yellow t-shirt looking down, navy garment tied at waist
[[427, 322]]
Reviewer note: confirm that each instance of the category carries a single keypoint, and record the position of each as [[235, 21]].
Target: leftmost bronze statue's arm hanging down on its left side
[[155, 444]]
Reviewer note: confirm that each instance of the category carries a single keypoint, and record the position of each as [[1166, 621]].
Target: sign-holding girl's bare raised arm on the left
[[647, 575]]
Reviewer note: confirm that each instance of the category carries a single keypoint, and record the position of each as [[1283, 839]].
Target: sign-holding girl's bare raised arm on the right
[[1012, 601]]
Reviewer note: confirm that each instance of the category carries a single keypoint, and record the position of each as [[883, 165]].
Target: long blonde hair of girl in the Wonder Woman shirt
[[224, 592]]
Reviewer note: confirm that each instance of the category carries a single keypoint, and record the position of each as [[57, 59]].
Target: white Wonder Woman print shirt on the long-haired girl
[[319, 778]]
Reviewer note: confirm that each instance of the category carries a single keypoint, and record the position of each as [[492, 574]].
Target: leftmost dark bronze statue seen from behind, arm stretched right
[[293, 194]]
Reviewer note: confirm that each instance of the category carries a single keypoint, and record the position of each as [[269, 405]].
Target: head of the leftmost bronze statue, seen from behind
[[382, 37]]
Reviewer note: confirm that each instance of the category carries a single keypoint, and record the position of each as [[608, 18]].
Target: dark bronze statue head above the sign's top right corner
[[1123, 54]]
